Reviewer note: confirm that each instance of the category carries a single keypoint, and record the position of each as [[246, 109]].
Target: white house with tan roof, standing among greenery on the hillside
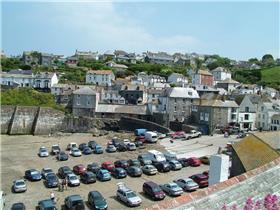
[[100, 77]]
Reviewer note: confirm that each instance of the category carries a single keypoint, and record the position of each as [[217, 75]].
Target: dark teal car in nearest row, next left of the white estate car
[[97, 201]]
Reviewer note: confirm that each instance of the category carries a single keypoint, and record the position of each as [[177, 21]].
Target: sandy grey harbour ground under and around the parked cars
[[19, 153]]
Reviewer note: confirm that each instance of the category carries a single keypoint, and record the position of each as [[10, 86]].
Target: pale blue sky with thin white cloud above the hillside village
[[238, 30]]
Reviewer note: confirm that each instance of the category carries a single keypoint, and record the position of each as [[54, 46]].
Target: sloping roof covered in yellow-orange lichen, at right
[[254, 152]]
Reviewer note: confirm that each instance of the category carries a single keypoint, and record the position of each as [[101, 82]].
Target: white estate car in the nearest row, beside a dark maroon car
[[128, 196]]
